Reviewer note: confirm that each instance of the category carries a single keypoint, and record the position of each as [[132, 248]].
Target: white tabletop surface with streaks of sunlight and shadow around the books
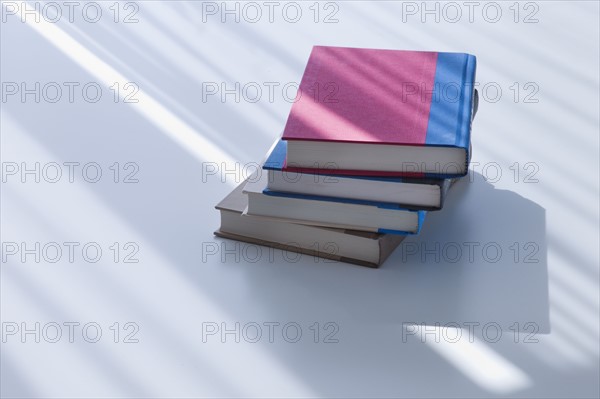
[[177, 285]]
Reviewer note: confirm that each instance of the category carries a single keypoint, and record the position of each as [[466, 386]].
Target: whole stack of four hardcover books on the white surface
[[372, 143]]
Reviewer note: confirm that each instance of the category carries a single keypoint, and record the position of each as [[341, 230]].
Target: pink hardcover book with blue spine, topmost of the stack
[[405, 113]]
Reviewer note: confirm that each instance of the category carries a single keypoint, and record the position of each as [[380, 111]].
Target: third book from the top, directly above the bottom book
[[327, 212]]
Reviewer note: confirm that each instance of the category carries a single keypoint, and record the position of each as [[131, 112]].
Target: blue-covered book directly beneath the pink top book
[[411, 193]]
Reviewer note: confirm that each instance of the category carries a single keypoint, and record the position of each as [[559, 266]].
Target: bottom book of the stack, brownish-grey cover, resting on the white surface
[[350, 246]]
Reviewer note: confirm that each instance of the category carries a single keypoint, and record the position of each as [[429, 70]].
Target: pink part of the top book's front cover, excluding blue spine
[[363, 96]]
